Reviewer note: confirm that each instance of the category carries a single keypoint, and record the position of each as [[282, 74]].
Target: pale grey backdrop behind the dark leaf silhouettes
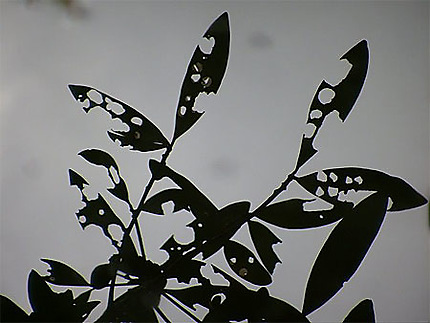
[[241, 149]]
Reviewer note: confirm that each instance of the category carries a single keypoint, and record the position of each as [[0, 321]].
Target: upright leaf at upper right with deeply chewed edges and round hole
[[345, 94]]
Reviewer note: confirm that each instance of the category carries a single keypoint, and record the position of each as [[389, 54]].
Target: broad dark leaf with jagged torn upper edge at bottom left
[[49, 306]]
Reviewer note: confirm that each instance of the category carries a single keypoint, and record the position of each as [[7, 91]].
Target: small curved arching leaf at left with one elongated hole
[[101, 158]]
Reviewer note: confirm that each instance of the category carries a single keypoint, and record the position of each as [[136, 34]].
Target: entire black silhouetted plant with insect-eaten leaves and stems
[[357, 223]]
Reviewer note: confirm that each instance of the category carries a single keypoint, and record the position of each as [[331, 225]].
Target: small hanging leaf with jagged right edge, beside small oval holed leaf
[[263, 240]]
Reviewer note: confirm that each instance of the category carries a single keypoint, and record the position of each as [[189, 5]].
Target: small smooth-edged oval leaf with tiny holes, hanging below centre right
[[244, 263]]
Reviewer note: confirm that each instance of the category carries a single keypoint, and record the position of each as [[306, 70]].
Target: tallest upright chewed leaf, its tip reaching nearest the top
[[204, 74]]
